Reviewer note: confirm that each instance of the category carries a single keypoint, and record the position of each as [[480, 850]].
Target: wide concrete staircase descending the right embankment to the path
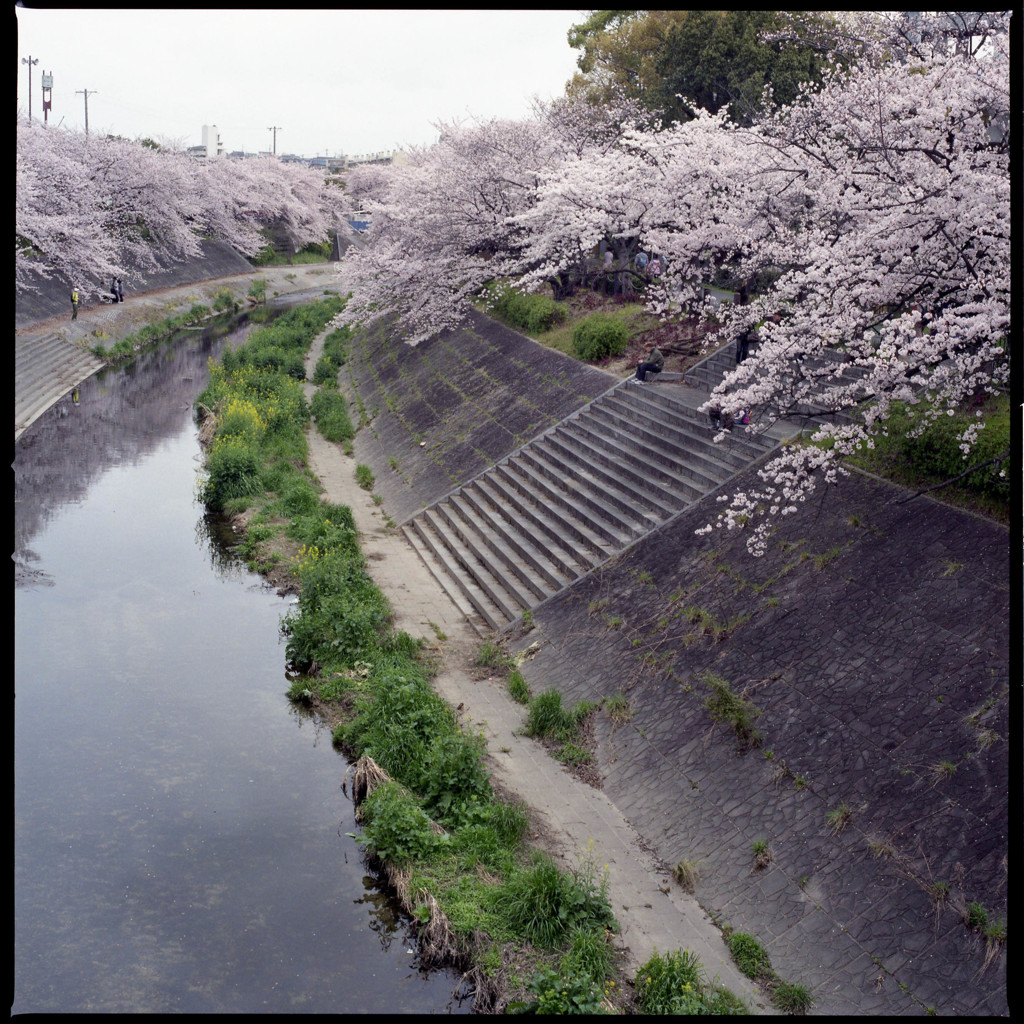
[[575, 497]]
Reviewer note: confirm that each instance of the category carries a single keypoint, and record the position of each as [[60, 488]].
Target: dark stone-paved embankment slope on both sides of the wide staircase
[[870, 647]]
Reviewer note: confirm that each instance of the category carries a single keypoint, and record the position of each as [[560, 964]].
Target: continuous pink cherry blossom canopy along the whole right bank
[[874, 211]]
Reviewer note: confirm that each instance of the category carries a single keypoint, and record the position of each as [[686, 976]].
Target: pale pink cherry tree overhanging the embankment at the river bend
[[448, 223]]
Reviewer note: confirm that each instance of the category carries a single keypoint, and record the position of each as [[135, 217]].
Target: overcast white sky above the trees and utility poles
[[334, 81]]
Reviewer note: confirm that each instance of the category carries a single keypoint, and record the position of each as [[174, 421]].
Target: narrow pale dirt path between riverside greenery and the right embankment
[[653, 912]]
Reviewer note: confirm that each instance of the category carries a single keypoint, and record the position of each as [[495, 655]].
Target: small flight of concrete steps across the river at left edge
[[47, 368]]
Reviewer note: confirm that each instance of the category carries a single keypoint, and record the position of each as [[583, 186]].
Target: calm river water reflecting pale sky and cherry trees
[[181, 831]]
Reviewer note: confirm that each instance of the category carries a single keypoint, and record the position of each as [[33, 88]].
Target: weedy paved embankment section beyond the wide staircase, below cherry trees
[[439, 414]]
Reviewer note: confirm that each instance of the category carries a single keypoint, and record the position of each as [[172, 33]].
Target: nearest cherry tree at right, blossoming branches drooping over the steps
[[883, 200]]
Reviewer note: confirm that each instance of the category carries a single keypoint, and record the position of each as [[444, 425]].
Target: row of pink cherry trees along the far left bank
[[89, 207]]
